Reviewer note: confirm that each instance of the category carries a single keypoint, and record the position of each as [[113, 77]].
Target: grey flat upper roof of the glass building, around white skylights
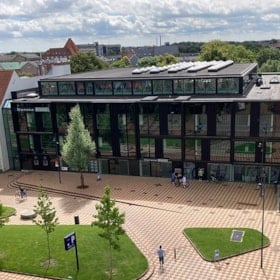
[[232, 70]]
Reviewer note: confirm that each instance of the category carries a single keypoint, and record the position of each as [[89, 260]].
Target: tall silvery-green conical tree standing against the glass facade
[[78, 148]]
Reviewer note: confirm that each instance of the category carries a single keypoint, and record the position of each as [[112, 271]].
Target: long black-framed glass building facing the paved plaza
[[216, 117]]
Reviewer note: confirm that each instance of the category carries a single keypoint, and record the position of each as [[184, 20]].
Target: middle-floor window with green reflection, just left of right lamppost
[[244, 151]]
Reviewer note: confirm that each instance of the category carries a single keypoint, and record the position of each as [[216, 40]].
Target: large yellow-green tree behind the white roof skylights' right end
[[219, 50]]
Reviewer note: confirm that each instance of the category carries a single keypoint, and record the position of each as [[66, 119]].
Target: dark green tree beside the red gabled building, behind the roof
[[86, 61]]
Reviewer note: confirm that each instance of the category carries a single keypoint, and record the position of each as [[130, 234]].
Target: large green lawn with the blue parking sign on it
[[24, 249]]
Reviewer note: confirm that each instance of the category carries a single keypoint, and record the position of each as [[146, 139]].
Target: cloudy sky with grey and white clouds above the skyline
[[37, 25]]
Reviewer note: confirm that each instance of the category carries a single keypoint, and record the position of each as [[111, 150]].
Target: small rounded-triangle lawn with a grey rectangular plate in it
[[207, 240]]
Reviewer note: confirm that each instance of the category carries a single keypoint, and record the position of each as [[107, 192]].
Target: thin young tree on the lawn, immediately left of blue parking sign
[[47, 216]]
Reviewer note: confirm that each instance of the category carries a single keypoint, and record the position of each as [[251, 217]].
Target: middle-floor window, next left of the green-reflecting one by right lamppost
[[220, 150]]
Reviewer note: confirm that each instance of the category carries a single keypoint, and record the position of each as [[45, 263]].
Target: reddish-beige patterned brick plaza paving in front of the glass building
[[156, 214]]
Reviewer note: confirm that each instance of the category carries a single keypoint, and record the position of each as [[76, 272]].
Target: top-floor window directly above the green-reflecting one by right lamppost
[[242, 119]]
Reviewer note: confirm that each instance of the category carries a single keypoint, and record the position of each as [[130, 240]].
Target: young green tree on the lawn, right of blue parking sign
[[110, 221]]
